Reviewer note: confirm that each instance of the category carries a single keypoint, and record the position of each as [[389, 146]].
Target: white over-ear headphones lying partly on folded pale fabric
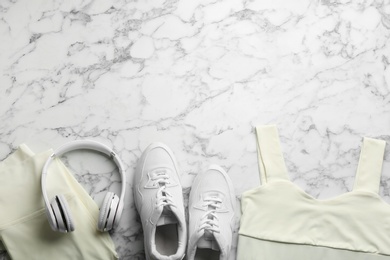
[[57, 210]]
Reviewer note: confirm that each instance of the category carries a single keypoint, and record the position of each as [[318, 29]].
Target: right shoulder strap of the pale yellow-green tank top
[[370, 165]]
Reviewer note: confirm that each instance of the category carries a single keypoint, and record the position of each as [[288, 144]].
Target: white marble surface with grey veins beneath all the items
[[197, 75]]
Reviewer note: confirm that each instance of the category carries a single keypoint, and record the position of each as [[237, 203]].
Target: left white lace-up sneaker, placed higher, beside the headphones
[[159, 200]]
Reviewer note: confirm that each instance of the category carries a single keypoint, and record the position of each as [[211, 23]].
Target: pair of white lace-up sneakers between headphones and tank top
[[159, 201]]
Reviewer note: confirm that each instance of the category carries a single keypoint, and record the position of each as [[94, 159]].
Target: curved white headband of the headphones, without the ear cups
[[78, 145]]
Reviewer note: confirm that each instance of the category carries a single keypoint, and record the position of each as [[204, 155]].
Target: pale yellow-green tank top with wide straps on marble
[[281, 222]]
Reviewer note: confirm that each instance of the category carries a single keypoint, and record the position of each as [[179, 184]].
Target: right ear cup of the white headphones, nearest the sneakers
[[108, 212]]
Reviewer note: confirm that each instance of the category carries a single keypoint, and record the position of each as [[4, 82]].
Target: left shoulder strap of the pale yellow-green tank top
[[270, 156]]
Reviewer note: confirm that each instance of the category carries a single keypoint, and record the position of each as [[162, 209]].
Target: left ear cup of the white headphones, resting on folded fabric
[[62, 214]]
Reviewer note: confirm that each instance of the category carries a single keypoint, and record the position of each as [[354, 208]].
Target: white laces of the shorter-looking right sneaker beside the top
[[210, 221]]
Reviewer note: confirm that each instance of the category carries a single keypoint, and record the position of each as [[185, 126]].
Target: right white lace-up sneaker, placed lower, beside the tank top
[[211, 215]]
